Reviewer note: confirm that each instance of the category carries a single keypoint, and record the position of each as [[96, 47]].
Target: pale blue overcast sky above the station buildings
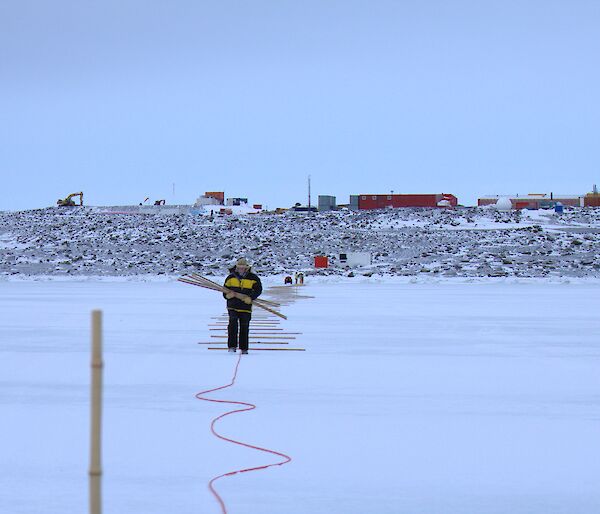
[[123, 99]]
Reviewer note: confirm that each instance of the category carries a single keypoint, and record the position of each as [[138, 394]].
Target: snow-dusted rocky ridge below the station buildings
[[469, 242]]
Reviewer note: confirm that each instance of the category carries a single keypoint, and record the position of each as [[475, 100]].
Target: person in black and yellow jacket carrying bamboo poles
[[244, 287]]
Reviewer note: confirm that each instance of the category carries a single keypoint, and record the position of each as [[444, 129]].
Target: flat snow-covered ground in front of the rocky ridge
[[413, 396]]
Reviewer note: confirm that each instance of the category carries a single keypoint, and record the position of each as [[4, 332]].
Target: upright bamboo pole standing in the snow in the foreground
[[96, 415]]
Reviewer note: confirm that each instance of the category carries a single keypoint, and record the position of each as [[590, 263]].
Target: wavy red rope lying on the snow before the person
[[247, 407]]
